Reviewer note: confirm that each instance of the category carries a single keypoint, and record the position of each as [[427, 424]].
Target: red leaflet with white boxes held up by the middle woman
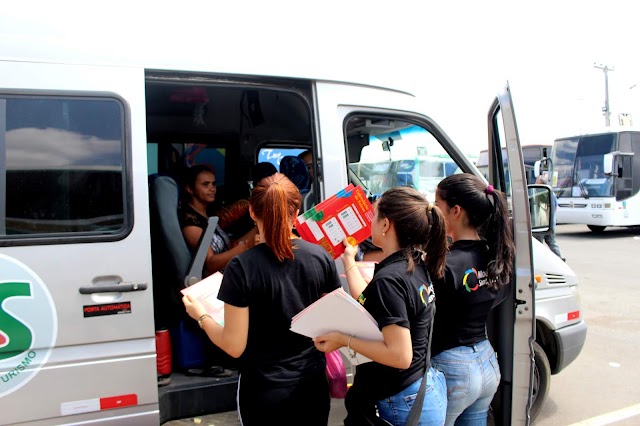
[[347, 214]]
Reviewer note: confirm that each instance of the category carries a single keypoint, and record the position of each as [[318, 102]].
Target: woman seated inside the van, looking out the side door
[[200, 188]]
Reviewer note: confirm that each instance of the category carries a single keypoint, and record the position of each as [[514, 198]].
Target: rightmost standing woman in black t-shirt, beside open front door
[[479, 263]]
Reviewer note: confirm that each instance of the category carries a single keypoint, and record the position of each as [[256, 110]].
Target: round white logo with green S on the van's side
[[28, 324]]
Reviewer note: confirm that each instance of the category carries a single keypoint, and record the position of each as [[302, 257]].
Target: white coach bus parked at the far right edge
[[596, 178]]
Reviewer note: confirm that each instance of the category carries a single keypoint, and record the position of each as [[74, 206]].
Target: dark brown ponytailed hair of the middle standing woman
[[419, 225]]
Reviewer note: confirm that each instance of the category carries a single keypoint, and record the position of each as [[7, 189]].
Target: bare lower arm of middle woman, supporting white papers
[[394, 351]]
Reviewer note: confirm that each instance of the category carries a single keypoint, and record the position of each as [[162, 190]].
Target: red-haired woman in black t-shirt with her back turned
[[282, 375]]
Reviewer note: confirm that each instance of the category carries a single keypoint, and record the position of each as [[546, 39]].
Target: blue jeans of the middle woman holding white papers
[[396, 408]]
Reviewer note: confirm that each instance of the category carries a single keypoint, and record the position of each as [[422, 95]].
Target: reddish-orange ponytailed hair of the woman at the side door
[[276, 200]]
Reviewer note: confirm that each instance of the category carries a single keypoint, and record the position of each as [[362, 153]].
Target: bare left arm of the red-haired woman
[[232, 338]]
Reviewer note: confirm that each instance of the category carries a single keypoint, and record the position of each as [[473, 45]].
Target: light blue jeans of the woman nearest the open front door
[[472, 375]]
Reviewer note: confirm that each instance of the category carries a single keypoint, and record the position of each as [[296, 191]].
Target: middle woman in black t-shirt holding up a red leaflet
[[411, 233]]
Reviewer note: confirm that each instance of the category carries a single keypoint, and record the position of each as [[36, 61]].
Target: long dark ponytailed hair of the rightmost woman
[[488, 213]]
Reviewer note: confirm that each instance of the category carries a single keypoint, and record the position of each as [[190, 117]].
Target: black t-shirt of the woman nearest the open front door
[[463, 297]]
